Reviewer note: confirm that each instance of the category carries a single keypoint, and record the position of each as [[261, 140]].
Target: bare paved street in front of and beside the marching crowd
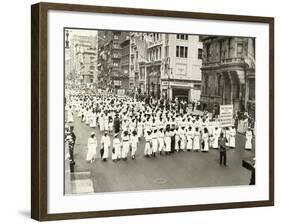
[[178, 170]]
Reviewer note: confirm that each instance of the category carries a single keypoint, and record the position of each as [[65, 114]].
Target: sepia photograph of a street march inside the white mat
[[150, 111]]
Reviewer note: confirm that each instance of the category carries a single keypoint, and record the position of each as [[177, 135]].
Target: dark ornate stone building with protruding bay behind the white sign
[[228, 73]]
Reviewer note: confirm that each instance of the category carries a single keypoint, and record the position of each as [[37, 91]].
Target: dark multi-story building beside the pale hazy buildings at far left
[[111, 57]]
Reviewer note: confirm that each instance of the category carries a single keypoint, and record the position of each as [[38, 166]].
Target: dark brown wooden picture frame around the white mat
[[39, 106]]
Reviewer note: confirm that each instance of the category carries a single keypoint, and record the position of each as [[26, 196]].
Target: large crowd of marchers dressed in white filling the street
[[164, 127]]
